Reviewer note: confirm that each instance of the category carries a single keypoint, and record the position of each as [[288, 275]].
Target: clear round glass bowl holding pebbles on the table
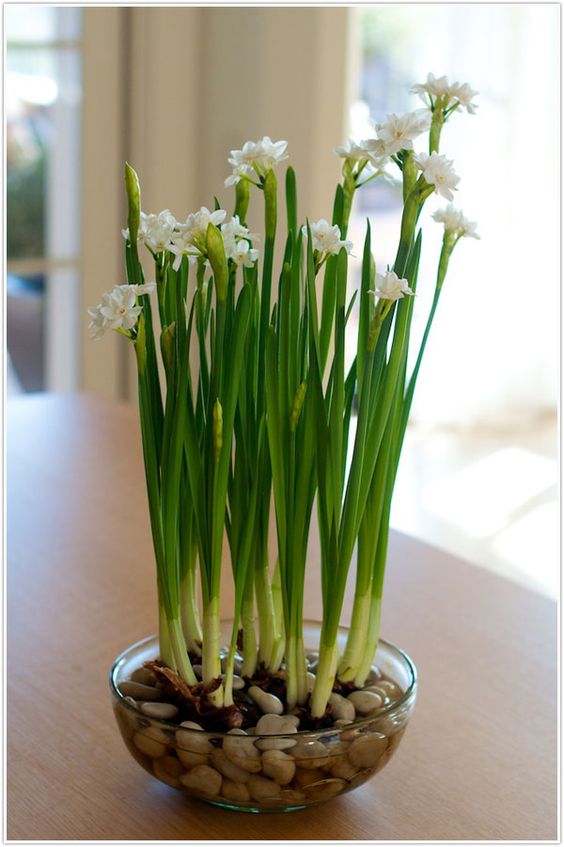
[[268, 773]]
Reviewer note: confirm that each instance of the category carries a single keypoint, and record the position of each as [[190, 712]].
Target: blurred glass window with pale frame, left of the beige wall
[[43, 111]]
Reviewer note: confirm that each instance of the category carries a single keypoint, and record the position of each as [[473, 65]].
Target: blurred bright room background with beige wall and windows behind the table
[[172, 90]]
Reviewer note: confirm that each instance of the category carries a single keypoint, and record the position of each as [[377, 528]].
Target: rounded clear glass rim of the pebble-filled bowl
[[408, 695]]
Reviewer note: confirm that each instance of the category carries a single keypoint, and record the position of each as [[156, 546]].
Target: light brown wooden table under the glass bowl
[[478, 760]]
